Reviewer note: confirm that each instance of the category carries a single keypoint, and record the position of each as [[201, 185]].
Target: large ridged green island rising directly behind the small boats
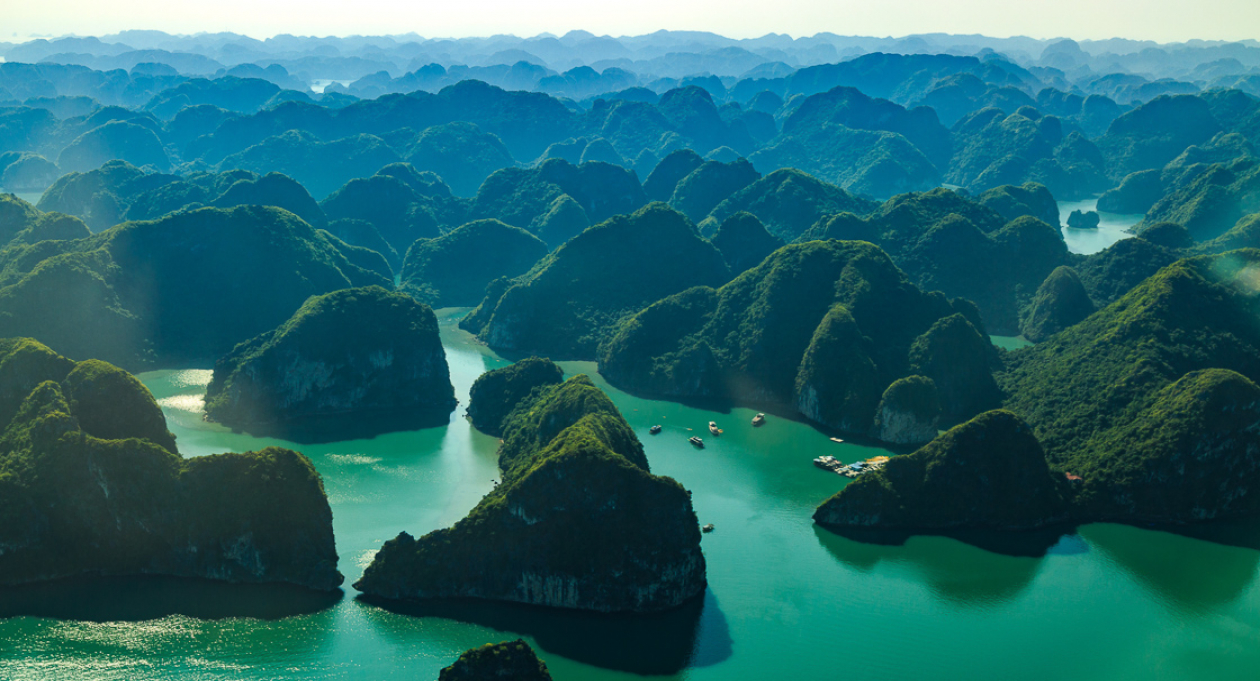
[[822, 326]]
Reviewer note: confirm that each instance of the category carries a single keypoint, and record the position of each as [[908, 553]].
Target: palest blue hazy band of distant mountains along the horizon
[[658, 61]]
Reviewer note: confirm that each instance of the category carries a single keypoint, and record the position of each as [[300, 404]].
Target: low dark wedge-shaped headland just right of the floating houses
[[990, 472]]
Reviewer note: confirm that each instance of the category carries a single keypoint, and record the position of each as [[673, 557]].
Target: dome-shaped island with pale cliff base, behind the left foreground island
[[356, 351]]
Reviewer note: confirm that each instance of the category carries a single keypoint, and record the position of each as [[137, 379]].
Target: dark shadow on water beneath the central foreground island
[[695, 635]]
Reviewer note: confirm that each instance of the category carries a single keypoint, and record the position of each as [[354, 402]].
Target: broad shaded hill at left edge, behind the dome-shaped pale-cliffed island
[[185, 288]]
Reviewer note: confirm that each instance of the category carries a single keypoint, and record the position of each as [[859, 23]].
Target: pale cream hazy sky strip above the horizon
[[1164, 21]]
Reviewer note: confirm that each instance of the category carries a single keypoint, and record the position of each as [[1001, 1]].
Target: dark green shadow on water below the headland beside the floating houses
[[956, 572]]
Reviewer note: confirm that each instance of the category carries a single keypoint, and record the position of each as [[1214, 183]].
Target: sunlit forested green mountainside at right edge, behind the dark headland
[[1151, 400]]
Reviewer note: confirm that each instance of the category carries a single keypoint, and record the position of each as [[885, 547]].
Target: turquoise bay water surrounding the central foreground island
[[786, 598]]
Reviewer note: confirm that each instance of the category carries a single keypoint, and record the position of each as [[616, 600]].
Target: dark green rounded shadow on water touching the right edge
[[1189, 573]]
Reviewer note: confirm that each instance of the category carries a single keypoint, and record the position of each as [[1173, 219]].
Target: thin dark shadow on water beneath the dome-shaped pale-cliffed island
[[350, 427]]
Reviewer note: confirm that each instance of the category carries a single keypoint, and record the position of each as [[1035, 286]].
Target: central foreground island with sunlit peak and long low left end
[[578, 523]]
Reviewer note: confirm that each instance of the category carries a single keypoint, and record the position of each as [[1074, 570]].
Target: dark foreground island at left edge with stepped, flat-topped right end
[[91, 484]]
